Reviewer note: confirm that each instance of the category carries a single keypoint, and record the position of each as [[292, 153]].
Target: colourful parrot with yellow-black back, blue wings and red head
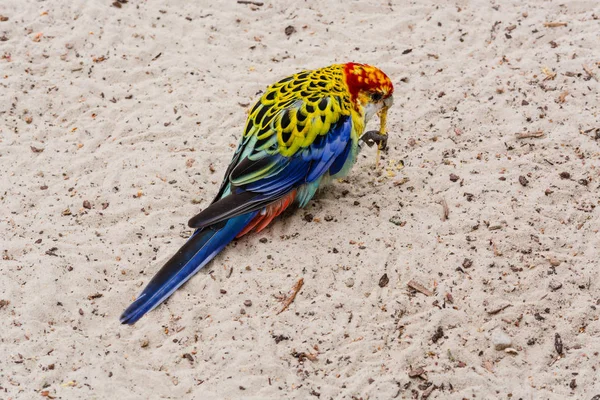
[[302, 133]]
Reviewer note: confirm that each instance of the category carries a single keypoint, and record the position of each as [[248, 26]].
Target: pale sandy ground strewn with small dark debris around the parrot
[[117, 123]]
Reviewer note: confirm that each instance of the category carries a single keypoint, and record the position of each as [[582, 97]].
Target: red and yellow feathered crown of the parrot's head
[[368, 80]]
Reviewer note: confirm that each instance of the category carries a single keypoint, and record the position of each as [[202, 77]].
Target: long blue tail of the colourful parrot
[[200, 248]]
